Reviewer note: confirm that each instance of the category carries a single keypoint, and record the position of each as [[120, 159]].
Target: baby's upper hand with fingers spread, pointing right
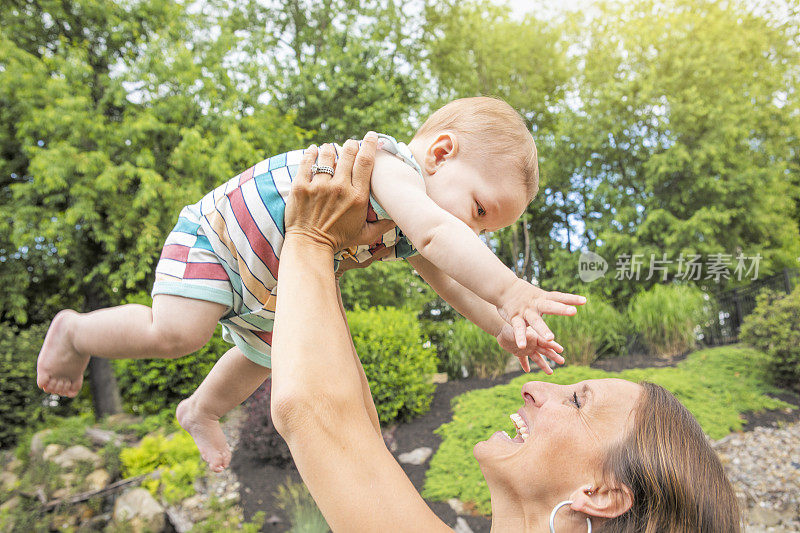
[[524, 304]]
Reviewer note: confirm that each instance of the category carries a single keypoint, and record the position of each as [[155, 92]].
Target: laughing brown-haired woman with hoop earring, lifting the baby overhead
[[625, 457]]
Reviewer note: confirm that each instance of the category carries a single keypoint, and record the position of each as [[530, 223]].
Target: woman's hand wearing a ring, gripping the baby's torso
[[332, 210]]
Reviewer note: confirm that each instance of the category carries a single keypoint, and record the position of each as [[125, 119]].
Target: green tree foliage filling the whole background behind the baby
[[662, 127]]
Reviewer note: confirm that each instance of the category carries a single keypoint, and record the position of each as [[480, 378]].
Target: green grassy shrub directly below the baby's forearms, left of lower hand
[[471, 348]]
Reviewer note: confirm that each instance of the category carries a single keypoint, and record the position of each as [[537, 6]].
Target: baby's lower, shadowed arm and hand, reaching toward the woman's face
[[485, 315]]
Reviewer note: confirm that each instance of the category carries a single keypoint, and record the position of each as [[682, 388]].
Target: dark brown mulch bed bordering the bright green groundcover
[[260, 481]]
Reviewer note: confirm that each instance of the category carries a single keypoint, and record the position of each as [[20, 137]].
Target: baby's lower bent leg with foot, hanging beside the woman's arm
[[232, 380]]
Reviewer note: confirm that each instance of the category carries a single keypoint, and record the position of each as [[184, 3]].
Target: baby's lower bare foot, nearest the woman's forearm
[[206, 432]]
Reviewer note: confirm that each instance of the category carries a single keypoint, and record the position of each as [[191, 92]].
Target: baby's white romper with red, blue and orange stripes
[[226, 248]]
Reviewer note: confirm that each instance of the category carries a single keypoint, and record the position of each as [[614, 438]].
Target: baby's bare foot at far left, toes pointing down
[[59, 369]]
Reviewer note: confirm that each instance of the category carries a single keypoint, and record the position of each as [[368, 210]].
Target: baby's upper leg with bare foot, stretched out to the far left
[[175, 326]]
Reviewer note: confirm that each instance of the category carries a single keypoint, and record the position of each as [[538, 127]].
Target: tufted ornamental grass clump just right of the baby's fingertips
[[598, 329]]
